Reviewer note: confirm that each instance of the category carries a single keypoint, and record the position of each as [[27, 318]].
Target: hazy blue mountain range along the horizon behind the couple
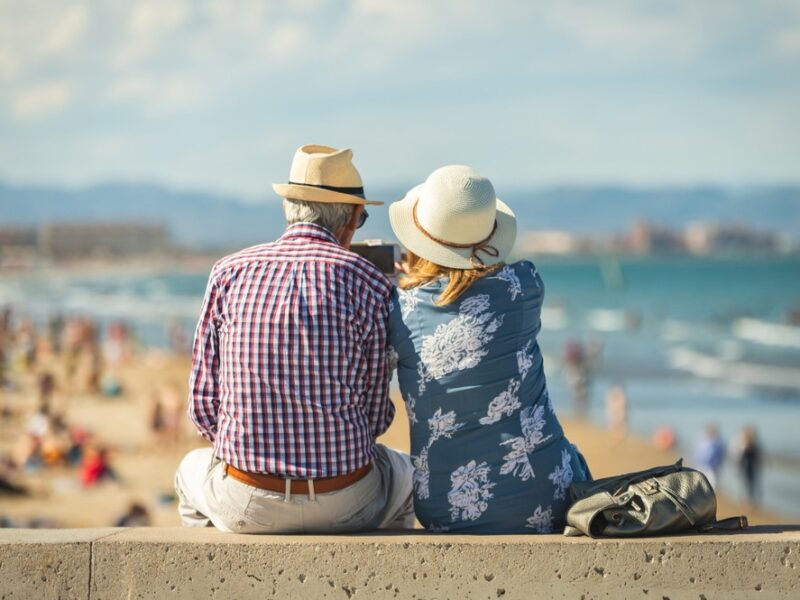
[[203, 220]]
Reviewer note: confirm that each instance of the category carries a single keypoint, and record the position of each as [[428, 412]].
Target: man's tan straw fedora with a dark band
[[323, 174]]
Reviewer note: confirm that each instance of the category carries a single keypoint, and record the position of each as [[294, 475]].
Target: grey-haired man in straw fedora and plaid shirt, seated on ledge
[[290, 377]]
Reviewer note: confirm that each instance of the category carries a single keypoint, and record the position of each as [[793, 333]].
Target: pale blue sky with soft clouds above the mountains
[[218, 94]]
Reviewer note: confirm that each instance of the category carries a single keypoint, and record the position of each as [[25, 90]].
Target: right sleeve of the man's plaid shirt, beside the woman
[[380, 408]]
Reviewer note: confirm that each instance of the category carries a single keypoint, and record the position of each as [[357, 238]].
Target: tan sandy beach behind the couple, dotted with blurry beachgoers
[[145, 466]]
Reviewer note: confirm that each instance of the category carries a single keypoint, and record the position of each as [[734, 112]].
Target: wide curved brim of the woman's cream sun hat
[[402, 221]]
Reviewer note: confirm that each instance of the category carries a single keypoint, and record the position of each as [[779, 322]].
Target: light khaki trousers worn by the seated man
[[379, 500]]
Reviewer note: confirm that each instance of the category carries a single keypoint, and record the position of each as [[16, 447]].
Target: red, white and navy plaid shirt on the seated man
[[289, 368]]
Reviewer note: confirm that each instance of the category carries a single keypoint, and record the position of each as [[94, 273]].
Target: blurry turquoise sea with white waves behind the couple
[[692, 341]]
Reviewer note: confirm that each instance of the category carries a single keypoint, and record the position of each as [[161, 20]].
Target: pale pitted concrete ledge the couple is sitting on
[[763, 562]]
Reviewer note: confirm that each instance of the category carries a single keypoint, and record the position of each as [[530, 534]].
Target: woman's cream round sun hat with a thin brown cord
[[455, 219]]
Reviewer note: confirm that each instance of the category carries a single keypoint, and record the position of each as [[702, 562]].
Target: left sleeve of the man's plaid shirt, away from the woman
[[203, 381]]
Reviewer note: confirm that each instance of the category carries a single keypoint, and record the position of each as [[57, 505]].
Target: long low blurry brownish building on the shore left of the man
[[82, 240]]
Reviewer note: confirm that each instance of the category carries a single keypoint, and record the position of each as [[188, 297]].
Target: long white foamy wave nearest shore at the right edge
[[706, 366]]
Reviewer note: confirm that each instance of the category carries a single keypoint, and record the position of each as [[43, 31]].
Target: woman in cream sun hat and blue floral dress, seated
[[488, 451]]
